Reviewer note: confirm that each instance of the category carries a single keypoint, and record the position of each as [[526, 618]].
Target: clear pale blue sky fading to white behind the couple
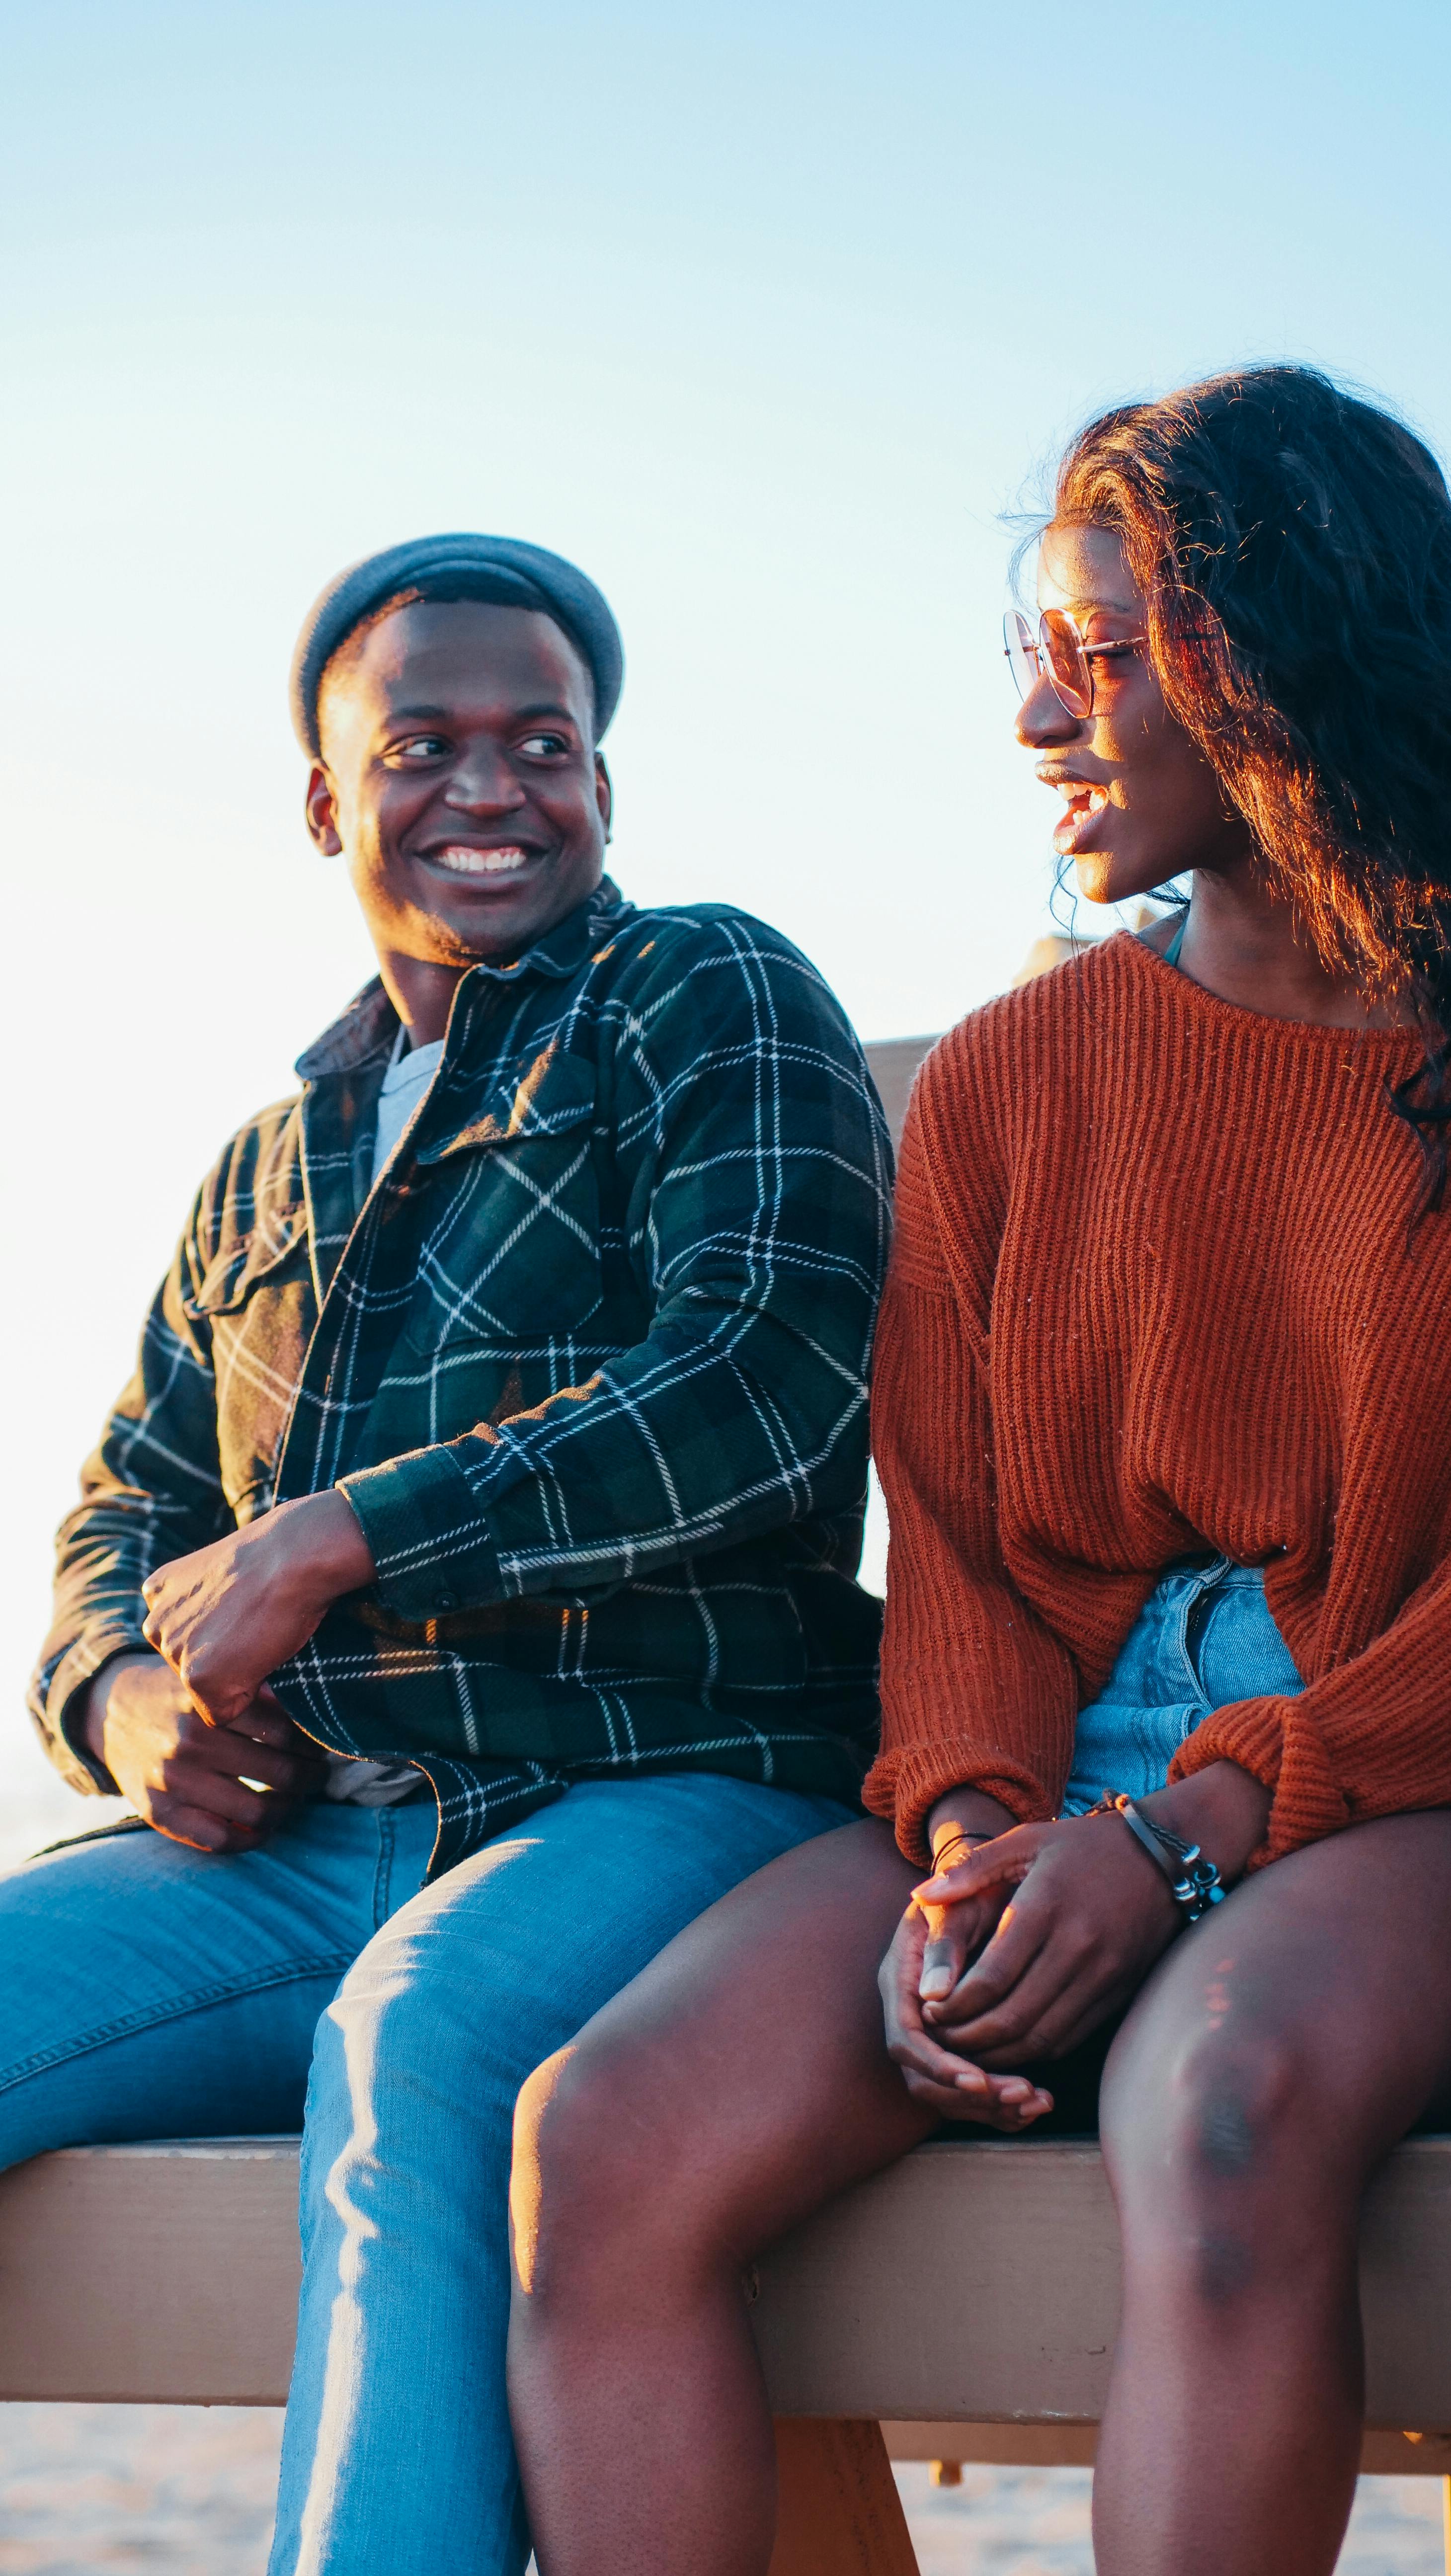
[[774, 318]]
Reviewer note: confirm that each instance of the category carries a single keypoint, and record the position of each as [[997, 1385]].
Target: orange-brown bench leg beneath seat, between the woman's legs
[[839, 2510]]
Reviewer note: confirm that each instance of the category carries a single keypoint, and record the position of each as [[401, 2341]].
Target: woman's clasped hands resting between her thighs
[[1014, 1951]]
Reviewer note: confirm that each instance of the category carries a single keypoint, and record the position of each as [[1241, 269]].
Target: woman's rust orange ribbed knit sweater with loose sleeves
[[1153, 1294]]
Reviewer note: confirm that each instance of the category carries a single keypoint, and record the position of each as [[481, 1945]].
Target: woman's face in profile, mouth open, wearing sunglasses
[[1140, 797]]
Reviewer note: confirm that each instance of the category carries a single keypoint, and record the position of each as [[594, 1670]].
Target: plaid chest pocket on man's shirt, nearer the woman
[[512, 1256]]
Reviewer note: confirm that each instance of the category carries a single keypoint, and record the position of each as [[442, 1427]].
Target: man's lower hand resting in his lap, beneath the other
[[184, 1776]]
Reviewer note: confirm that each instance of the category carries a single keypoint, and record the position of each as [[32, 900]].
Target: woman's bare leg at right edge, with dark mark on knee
[[1272, 2062]]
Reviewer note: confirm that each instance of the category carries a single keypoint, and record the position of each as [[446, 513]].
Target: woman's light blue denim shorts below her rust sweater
[[1202, 1640]]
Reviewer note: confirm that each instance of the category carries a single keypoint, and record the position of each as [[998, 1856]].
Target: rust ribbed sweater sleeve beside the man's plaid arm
[[975, 1689]]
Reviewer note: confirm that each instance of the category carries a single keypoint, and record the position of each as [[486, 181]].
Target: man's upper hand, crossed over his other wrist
[[236, 1611]]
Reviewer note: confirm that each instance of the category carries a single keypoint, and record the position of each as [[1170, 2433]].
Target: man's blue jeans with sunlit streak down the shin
[[151, 1993]]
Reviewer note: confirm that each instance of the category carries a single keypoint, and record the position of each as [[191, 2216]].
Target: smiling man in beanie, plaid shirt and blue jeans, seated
[[463, 1591]]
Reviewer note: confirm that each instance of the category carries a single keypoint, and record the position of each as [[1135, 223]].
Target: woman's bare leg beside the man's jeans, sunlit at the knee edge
[[720, 2098]]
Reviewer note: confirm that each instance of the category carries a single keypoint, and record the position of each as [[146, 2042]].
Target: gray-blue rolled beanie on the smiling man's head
[[486, 568]]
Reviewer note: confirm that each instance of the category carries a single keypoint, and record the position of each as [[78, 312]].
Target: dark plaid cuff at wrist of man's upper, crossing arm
[[427, 1534]]
